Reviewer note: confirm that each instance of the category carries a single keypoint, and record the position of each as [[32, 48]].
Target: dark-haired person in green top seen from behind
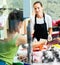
[[9, 47]]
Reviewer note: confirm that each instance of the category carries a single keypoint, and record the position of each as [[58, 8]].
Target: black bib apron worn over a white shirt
[[40, 30]]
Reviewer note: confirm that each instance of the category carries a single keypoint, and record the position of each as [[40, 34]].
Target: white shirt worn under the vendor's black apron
[[48, 21]]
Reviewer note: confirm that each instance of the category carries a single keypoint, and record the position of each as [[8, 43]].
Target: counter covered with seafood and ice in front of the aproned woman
[[38, 58]]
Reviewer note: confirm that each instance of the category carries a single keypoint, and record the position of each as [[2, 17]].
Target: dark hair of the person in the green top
[[14, 18]]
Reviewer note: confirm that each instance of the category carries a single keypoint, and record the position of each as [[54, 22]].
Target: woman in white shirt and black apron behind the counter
[[41, 23]]
